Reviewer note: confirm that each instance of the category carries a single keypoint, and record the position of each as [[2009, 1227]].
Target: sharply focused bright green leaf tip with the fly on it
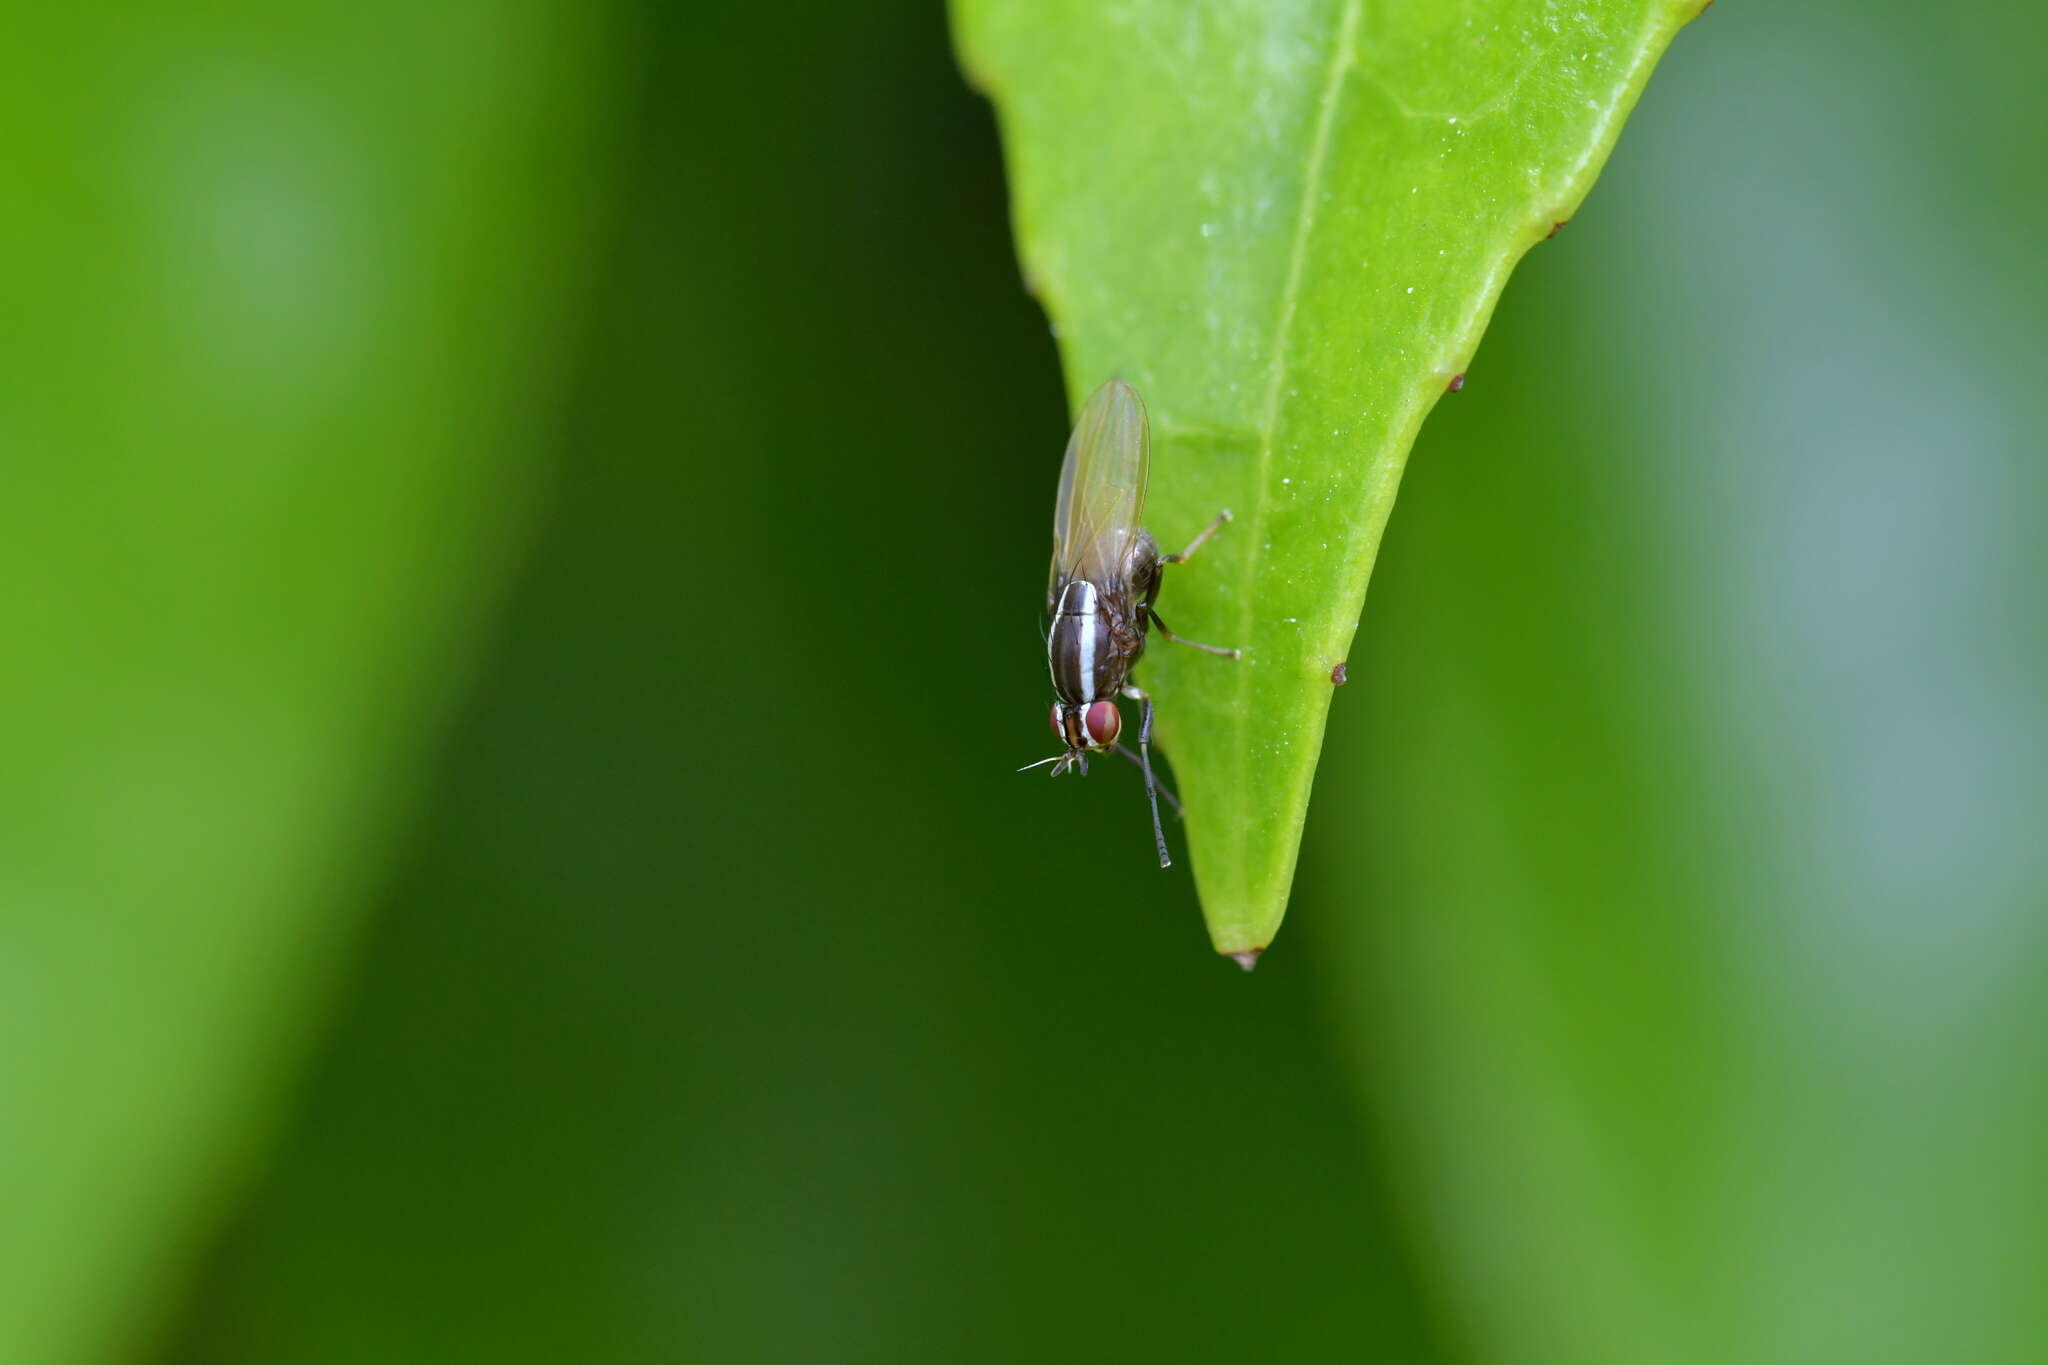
[[1287, 224]]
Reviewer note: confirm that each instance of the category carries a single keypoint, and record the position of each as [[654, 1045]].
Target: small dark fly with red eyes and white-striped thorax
[[1105, 588]]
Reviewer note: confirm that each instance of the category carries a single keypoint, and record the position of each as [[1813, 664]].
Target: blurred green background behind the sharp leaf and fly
[[519, 547]]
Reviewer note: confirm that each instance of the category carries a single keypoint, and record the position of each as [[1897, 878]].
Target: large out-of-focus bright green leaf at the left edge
[[284, 292]]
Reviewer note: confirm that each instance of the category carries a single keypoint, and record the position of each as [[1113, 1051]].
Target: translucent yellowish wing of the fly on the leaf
[[1103, 488]]
